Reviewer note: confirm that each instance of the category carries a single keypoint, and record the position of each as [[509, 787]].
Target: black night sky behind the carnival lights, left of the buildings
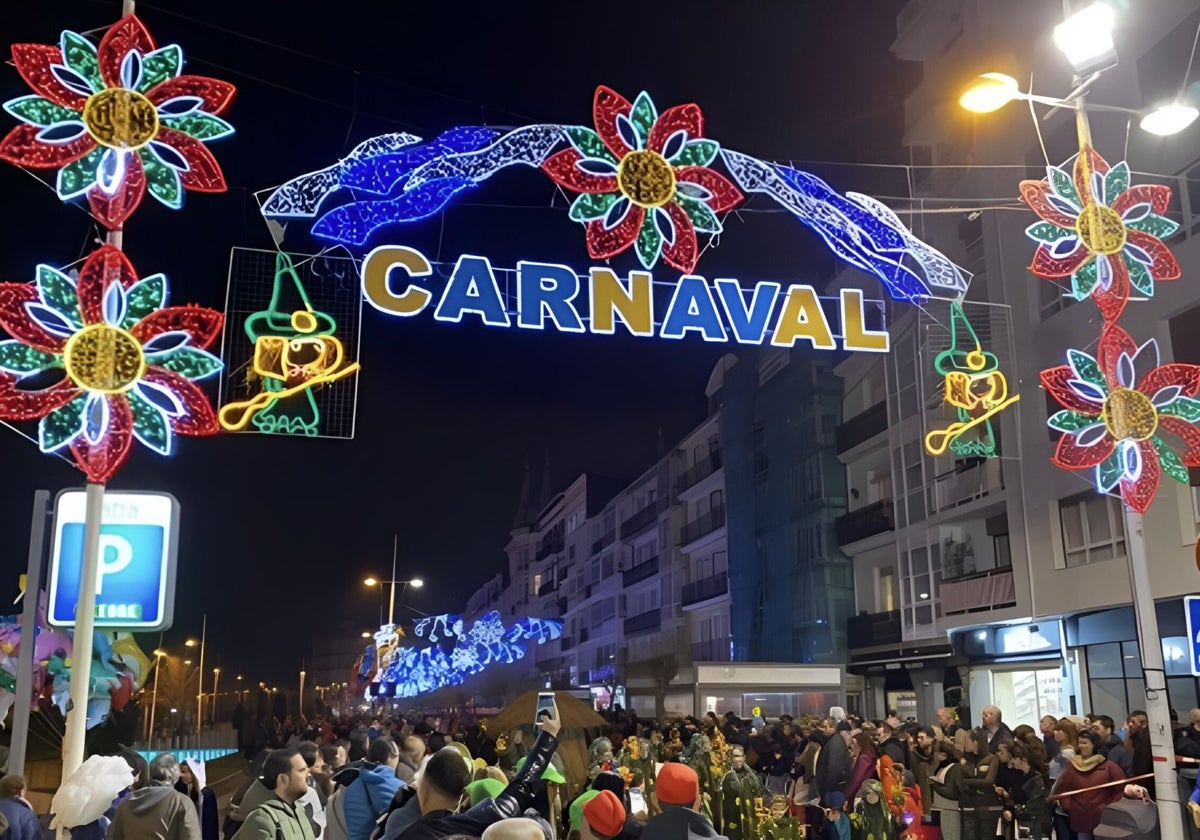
[[278, 533]]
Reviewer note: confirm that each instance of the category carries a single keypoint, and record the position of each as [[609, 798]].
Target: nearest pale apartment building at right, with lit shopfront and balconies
[[1005, 580]]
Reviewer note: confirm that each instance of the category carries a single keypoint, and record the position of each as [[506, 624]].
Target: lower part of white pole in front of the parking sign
[[85, 632]]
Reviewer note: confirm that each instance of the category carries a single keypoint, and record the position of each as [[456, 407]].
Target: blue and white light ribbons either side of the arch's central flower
[[411, 181]]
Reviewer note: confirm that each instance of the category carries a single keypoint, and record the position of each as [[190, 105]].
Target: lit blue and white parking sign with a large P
[[136, 581]]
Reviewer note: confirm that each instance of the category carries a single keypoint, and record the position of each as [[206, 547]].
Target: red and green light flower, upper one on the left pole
[[117, 121]]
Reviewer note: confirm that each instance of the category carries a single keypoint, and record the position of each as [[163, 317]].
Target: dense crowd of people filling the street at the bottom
[[841, 778]]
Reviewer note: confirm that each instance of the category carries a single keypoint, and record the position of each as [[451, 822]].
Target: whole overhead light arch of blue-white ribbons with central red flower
[[644, 181]]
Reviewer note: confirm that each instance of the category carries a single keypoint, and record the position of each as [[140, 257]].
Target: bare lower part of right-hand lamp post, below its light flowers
[[1167, 795]]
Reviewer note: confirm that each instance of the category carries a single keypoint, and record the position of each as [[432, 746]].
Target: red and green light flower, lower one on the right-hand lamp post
[[1126, 417]]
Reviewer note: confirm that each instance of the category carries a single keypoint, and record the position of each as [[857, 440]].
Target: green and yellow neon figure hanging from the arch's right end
[[975, 387]]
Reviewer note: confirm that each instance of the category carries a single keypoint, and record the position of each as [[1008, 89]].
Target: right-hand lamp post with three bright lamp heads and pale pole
[[1087, 39]]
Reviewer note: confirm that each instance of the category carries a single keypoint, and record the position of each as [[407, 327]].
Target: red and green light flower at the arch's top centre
[[644, 178]]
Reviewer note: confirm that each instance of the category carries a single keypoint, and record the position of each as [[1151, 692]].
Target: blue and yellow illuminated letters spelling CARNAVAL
[[549, 296]]
